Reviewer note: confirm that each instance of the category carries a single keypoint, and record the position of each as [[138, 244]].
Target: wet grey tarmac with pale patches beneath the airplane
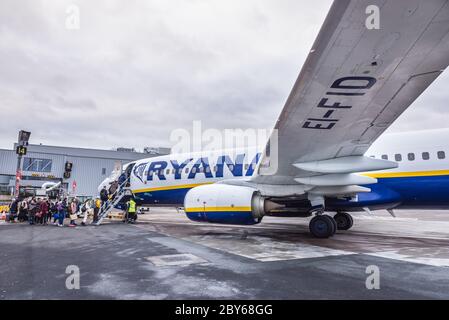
[[166, 256]]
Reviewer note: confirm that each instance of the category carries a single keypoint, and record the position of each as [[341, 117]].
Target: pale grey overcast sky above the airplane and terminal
[[136, 70]]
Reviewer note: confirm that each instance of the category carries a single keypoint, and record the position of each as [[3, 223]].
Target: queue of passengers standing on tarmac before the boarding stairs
[[43, 211]]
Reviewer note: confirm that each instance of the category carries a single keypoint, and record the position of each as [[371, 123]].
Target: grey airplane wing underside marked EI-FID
[[356, 81]]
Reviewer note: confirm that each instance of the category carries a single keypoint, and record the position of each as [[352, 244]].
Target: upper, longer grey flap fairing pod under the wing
[[346, 165]]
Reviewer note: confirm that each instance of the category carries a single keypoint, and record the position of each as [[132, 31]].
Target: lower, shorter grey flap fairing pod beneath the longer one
[[336, 179]]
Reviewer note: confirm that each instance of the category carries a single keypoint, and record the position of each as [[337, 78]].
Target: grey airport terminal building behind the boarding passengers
[[44, 163]]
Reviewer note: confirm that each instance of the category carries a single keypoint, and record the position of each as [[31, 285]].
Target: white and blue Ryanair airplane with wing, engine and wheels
[[355, 82]]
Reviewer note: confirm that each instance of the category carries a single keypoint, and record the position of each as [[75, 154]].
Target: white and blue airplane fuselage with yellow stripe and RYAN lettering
[[421, 179]]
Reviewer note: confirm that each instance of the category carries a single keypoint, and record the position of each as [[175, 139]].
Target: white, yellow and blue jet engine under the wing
[[227, 204]]
